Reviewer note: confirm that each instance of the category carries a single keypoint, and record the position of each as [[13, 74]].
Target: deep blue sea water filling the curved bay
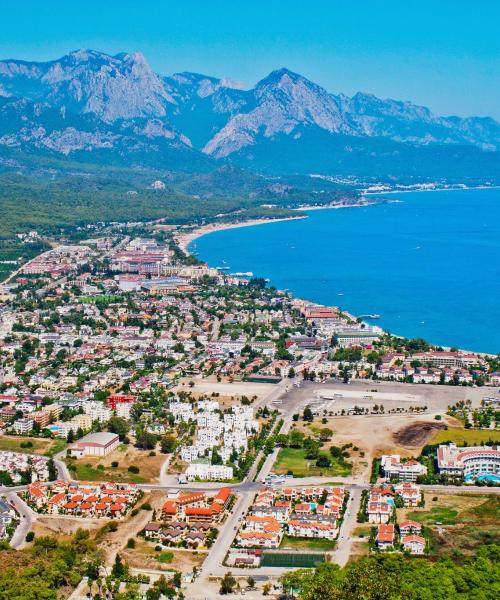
[[429, 263]]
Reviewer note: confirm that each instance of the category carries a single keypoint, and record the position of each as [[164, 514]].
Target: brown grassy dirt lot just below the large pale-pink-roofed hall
[[126, 456]]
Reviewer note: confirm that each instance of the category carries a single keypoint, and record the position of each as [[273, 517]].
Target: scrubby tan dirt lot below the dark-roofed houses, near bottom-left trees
[[144, 556]]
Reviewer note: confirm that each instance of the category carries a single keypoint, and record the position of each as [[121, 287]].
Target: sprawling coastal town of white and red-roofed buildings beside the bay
[[212, 430]]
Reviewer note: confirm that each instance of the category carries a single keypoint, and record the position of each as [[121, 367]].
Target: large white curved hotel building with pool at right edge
[[468, 462]]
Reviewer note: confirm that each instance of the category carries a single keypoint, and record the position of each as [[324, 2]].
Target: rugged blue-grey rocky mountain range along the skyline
[[95, 107]]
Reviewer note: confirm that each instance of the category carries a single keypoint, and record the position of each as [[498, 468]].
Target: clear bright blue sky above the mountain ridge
[[441, 53]]
